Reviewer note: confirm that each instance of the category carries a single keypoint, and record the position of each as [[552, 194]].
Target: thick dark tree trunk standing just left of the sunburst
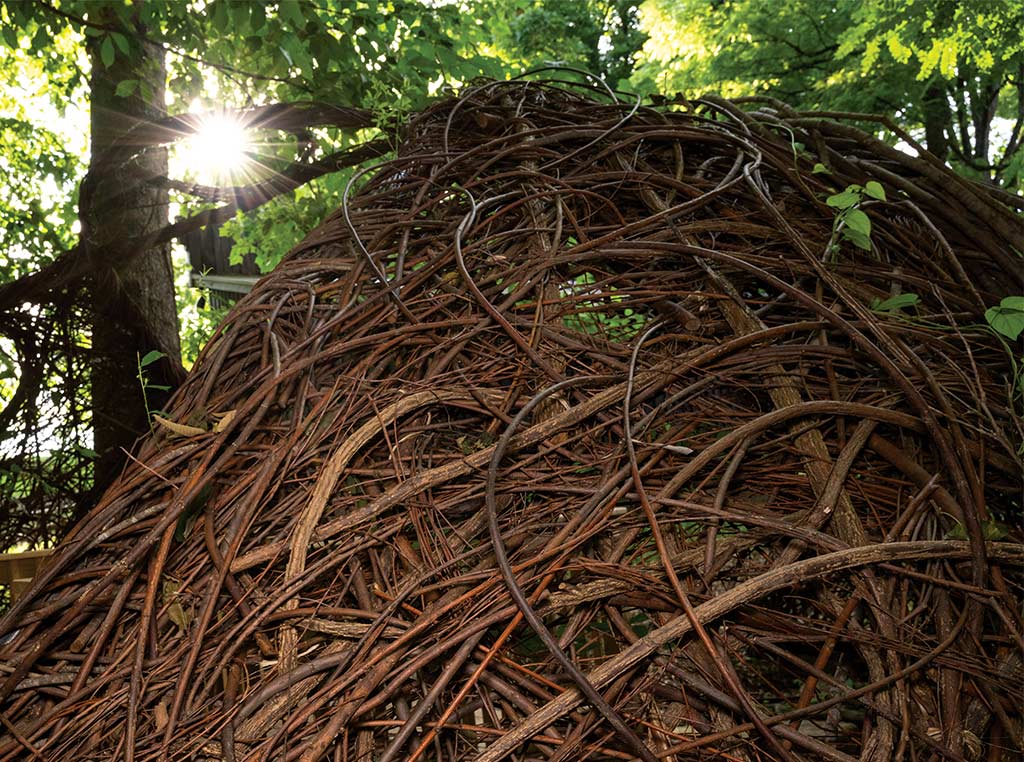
[[133, 297]]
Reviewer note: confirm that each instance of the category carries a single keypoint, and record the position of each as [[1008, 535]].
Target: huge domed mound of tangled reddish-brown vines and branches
[[581, 432]]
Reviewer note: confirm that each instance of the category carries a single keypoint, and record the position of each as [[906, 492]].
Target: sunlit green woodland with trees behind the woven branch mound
[[104, 173]]
